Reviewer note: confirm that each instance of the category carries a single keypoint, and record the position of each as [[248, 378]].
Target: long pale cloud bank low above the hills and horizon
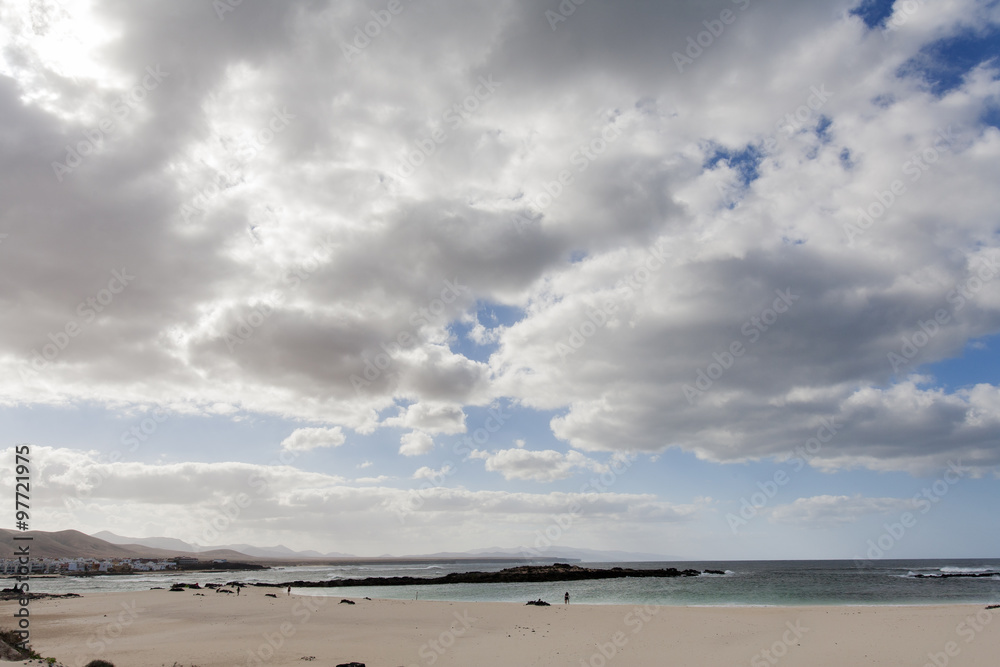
[[291, 506]]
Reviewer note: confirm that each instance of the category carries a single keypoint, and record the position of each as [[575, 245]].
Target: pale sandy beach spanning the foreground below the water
[[159, 627]]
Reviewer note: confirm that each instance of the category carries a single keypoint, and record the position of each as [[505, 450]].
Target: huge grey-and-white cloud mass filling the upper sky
[[713, 257]]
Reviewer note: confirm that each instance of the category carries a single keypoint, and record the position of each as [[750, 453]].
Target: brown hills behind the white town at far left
[[74, 544]]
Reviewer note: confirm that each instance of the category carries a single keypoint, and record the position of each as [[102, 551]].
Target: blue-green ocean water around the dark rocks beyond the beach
[[745, 583]]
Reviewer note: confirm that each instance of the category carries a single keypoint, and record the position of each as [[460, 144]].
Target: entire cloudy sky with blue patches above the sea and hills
[[711, 280]]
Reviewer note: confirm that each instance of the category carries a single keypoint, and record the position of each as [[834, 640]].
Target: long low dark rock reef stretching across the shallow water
[[520, 574]]
